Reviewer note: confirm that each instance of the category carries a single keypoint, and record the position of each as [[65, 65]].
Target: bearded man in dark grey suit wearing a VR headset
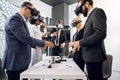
[[92, 44]]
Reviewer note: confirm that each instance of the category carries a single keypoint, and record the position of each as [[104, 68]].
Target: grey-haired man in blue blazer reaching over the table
[[17, 53]]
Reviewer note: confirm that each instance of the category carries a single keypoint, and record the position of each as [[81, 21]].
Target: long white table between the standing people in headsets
[[63, 70]]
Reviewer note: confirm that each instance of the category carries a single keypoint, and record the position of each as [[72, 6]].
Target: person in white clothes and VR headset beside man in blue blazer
[[36, 33]]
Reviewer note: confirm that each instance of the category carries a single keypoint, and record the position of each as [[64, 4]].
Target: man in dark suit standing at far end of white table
[[58, 39]]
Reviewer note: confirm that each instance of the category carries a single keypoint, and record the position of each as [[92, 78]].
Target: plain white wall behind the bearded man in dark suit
[[112, 41]]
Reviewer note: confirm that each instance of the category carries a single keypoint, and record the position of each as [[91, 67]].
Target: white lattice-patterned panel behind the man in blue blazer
[[6, 10]]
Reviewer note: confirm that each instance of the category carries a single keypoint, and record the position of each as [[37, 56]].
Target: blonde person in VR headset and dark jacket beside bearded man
[[77, 36]]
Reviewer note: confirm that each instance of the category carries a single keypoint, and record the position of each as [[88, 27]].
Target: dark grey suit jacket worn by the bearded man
[[93, 38]]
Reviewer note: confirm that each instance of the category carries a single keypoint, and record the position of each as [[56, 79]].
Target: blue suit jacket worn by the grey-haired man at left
[[18, 44]]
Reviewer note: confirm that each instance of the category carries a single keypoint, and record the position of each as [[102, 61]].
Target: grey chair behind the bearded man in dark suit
[[107, 67]]
